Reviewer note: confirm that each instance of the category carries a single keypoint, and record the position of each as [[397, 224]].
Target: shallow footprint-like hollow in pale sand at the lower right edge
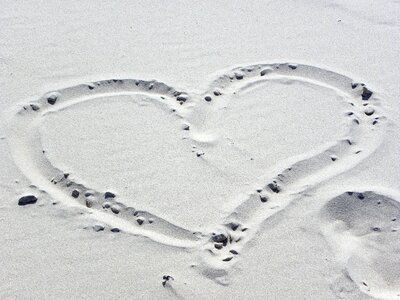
[[364, 233]]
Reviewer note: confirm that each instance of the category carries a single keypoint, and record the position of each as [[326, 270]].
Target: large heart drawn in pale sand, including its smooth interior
[[174, 165]]
